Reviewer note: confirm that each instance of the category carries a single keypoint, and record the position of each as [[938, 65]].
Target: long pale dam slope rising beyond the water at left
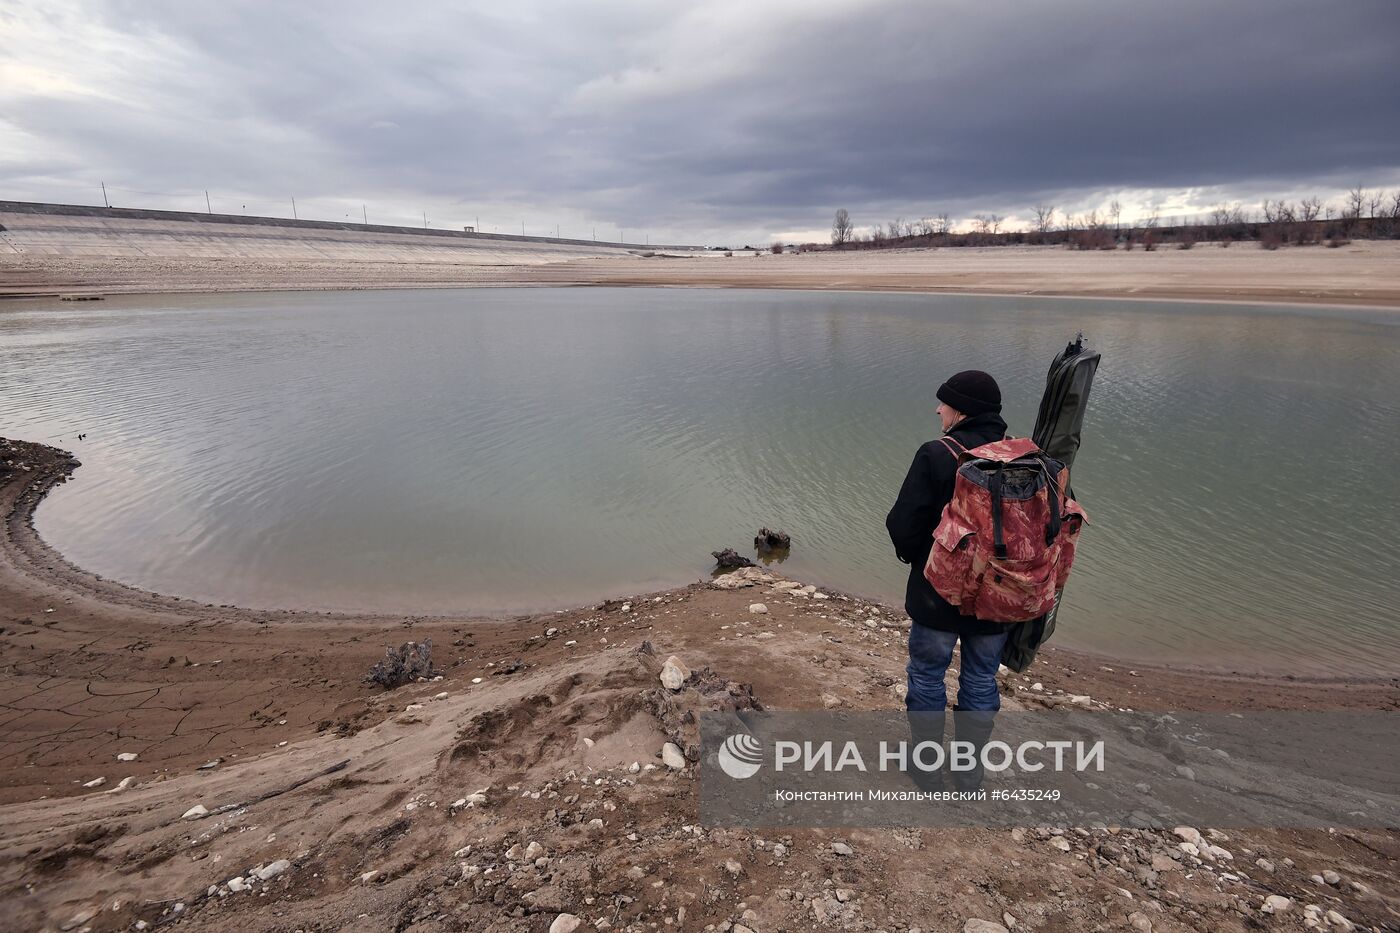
[[48, 250]]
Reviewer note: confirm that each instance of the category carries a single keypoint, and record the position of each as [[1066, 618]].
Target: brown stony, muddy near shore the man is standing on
[[264, 721]]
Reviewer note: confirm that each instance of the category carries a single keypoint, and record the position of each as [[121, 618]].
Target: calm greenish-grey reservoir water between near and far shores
[[499, 450]]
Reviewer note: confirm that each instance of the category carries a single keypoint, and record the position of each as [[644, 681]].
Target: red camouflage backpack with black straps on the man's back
[[1007, 539]]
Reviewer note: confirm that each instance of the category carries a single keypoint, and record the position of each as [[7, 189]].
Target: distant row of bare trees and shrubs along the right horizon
[[1366, 215]]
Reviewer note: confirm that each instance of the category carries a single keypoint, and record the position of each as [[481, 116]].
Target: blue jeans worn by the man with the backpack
[[930, 652]]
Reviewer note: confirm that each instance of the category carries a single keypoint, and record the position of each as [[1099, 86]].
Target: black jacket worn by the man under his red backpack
[[929, 488]]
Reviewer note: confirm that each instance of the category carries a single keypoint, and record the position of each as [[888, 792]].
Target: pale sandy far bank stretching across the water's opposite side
[[1363, 274]]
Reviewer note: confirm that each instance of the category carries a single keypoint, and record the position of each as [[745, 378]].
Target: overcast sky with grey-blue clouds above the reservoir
[[712, 121]]
